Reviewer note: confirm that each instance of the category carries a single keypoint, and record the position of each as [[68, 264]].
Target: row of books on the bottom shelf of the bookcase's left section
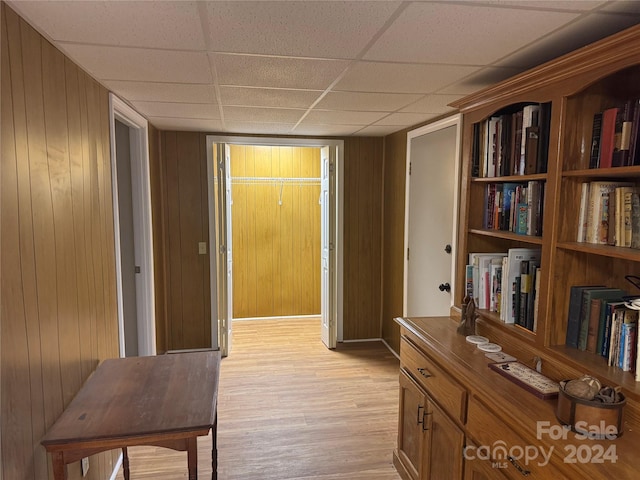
[[506, 283]]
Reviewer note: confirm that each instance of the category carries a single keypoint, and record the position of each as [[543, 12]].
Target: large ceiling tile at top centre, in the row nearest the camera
[[301, 29]]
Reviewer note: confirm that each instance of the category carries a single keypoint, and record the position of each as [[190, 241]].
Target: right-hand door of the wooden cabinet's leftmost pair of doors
[[444, 446]]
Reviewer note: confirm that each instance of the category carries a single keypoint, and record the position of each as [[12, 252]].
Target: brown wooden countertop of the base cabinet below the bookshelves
[[518, 408]]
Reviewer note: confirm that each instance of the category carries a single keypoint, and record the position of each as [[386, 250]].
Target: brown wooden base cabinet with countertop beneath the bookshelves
[[507, 433]]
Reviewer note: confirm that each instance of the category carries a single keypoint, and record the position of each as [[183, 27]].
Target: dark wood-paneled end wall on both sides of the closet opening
[[183, 163]]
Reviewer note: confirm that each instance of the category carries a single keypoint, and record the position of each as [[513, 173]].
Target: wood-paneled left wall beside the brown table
[[58, 267]]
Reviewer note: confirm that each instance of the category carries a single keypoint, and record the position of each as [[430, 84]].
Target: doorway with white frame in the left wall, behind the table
[[132, 229]]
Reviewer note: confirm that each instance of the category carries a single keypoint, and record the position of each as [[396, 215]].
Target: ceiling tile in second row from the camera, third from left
[[401, 77]]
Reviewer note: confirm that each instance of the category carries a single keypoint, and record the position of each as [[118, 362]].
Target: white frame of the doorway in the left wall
[[141, 193]]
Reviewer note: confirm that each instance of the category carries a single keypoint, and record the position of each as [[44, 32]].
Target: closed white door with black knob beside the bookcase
[[430, 230]]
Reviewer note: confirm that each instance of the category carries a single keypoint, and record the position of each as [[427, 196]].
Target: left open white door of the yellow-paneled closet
[[224, 265]]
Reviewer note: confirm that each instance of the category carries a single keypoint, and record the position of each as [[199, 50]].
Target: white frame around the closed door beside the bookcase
[[454, 120]]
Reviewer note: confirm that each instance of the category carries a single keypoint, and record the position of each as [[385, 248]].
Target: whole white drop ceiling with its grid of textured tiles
[[335, 68]]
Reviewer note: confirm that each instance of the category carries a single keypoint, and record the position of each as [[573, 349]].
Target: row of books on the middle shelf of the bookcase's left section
[[514, 207]]
